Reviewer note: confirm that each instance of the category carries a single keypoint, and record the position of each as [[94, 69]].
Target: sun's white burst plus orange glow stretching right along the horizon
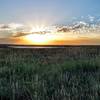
[[39, 35]]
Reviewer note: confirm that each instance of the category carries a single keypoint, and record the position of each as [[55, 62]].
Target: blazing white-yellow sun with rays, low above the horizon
[[39, 35]]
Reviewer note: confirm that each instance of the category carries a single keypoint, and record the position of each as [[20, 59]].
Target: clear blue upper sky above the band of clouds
[[59, 10]]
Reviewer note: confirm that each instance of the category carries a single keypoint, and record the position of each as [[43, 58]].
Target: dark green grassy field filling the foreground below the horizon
[[69, 73]]
